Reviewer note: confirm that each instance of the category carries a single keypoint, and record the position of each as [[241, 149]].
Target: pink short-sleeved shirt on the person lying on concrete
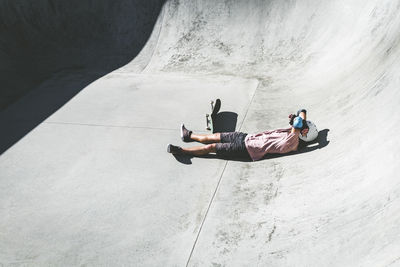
[[275, 141]]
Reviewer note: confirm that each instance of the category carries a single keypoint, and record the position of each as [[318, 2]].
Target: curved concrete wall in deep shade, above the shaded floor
[[42, 38]]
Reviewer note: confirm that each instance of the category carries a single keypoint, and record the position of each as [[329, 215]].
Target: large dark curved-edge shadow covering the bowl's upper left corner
[[57, 48]]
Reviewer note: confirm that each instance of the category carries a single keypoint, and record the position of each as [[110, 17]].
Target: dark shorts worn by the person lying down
[[232, 145]]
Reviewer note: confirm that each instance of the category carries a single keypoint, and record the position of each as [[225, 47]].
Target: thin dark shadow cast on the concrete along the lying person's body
[[304, 147]]
